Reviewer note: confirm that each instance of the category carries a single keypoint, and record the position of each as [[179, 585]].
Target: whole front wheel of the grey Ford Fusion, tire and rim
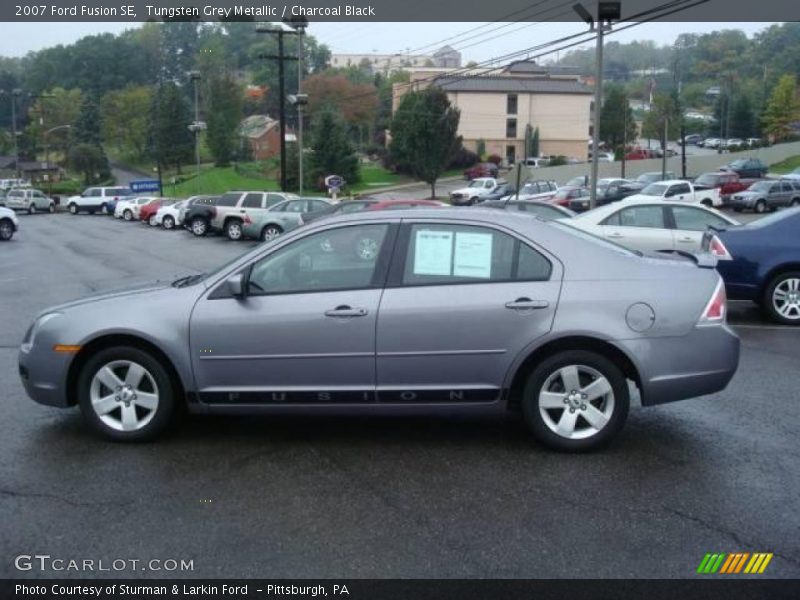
[[125, 394]]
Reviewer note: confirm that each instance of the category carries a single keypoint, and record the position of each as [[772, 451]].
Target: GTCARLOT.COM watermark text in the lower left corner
[[46, 563]]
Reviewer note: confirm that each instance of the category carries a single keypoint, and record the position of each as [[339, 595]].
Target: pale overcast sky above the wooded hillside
[[18, 39]]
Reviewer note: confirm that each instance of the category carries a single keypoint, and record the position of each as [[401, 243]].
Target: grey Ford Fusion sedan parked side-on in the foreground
[[398, 312]]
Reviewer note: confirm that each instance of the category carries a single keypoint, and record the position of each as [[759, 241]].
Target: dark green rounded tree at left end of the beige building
[[424, 135]]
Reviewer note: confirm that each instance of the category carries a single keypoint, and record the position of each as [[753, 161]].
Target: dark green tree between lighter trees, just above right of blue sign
[[169, 140]]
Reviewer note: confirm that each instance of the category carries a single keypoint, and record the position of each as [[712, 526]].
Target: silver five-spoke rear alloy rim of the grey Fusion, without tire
[[576, 402]]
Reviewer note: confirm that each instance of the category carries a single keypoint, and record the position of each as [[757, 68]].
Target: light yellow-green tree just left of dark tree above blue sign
[[125, 117]]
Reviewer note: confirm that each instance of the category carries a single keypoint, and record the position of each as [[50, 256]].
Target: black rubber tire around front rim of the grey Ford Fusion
[[165, 387]]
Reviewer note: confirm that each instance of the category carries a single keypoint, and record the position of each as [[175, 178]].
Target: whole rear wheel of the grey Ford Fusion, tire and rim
[[575, 401]]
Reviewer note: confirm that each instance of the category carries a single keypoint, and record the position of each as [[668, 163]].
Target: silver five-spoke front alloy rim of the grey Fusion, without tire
[[124, 395]]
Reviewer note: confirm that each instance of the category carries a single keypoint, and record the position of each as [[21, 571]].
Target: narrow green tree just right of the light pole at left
[[224, 113]]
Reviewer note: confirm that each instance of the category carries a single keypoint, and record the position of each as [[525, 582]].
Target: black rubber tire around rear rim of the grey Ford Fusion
[[549, 368]]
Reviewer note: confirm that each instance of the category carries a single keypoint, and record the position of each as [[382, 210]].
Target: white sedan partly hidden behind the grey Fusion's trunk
[[652, 225]]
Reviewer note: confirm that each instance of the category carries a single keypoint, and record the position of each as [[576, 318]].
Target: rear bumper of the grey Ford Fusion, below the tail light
[[700, 363]]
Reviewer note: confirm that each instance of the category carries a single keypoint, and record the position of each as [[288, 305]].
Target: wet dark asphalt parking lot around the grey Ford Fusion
[[294, 497]]
